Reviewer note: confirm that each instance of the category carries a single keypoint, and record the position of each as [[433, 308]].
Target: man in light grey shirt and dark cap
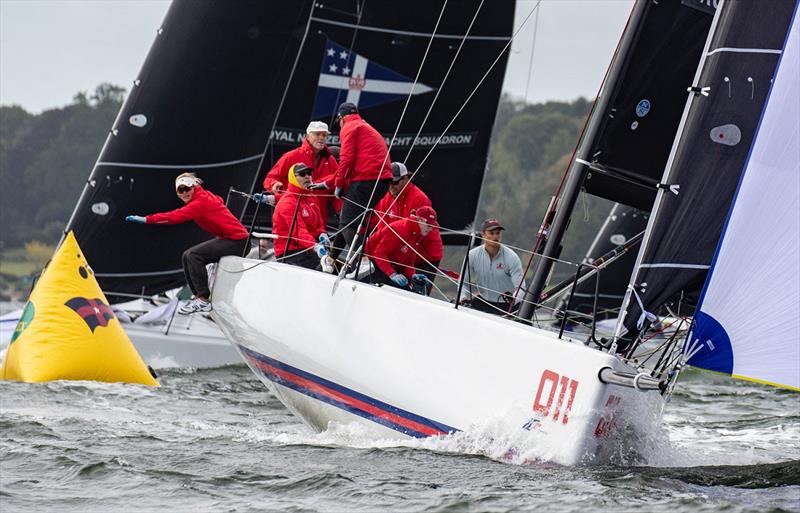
[[496, 271]]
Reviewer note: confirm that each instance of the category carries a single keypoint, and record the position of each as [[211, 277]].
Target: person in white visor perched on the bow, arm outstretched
[[210, 213]]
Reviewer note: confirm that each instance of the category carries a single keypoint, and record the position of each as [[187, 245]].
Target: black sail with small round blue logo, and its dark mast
[[624, 149]]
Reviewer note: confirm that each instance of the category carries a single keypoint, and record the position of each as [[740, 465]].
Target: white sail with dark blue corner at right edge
[[748, 321]]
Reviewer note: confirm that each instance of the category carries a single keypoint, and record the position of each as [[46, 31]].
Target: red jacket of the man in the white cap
[[324, 171]]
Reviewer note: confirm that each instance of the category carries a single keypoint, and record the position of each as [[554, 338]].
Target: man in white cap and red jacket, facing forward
[[314, 153]]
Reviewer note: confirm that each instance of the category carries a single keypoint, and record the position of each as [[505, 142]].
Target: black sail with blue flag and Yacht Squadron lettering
[[373, 59]]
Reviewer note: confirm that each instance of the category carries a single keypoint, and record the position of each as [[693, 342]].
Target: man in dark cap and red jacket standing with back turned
[[363, 160]]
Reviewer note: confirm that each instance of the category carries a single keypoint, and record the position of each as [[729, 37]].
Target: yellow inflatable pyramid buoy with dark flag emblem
[[68, 331]]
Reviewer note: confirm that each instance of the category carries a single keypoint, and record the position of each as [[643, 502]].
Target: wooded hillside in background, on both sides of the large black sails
[[46, 158]]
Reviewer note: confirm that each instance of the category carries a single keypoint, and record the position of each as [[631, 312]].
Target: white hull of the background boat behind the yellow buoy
[[190, 341]]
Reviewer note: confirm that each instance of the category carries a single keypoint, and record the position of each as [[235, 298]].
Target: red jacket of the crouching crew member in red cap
[[390, 252]]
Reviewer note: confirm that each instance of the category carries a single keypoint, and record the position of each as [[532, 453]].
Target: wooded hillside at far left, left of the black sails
[[45, 159]]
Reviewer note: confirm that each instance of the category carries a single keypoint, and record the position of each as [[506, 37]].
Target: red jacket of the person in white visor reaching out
[[208, 211]]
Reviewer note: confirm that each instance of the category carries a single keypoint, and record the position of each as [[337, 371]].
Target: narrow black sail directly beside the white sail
[[713, 146]]
